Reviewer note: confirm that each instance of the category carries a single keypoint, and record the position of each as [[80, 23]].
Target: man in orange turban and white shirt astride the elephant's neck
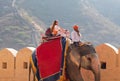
[[76, 35]]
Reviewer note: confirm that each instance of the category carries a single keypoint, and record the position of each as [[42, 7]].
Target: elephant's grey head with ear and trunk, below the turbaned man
[[83, 56]]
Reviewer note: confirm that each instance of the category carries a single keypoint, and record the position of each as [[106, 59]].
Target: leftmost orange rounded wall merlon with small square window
[[7, 64]]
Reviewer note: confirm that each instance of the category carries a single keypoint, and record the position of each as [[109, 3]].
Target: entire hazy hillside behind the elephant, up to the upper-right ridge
[[22, 21]]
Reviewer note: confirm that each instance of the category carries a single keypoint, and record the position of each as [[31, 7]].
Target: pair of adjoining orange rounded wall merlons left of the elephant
[[14, 65]]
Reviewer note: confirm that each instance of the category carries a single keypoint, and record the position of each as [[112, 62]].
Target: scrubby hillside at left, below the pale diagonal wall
[[15, 32]]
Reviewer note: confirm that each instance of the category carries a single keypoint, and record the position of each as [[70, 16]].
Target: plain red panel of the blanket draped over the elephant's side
[[49, 56]]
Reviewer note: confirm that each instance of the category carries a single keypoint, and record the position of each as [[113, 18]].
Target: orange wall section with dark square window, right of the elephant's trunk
[[108, 55]]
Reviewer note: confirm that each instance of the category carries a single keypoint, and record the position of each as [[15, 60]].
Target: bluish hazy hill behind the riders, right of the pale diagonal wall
[[94, 26]]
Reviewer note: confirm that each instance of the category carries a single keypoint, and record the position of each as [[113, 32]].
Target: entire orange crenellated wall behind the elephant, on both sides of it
[[14, 65]]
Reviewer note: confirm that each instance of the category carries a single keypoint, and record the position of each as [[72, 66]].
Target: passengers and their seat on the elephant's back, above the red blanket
[[55, 31]]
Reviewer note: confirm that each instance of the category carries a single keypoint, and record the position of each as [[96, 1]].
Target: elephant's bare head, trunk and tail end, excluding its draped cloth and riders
[[77, 57]]
